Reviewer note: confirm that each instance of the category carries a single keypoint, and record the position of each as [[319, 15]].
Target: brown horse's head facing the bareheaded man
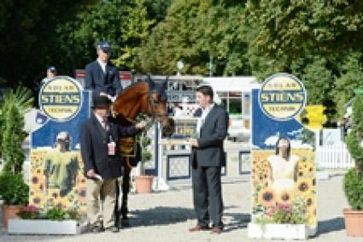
[[157, 105]]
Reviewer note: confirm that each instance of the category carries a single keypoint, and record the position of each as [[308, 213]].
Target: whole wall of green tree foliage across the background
[[318, 41]]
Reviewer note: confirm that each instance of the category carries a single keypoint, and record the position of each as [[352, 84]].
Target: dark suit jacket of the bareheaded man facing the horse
[[212, 133]]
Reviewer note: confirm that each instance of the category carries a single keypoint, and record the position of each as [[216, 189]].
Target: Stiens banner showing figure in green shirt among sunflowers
[[56, 174]]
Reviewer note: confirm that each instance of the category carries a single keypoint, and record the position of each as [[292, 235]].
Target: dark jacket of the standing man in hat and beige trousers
[[94, 139]]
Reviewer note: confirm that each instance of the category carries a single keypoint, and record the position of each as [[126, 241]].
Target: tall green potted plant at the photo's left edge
[[13, 190]]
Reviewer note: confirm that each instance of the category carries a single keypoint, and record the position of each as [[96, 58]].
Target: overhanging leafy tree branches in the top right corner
[[298, 27]]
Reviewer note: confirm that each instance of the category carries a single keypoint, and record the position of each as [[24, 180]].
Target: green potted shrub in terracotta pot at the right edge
[[353, 179]]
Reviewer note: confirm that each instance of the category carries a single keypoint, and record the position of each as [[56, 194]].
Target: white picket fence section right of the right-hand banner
[[333, 157]]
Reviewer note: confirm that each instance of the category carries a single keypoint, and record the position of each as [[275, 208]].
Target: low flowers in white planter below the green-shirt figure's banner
[[54, 213]]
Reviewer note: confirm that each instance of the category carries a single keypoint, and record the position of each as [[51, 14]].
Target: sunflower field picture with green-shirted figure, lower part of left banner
[[57, 180]]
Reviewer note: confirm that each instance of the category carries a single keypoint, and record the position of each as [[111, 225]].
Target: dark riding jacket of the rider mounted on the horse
[[98, 81]]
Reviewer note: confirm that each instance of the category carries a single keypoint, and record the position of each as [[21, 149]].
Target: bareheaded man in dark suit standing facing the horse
[[207, 158]]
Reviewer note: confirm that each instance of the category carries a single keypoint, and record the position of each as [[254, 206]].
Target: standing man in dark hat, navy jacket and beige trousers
[[102, 163]]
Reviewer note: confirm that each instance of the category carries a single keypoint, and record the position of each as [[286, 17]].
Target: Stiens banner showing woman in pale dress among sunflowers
[[282, 155]]
